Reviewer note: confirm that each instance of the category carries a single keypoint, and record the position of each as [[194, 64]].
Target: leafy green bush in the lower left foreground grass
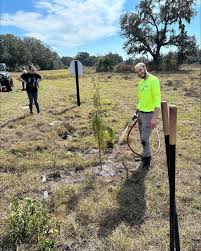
[[29, 222]]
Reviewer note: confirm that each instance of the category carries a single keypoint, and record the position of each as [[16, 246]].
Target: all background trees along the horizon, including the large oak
[[154, 25]]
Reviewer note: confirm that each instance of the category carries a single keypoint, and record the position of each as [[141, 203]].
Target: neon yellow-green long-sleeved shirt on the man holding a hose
[[149, 96]]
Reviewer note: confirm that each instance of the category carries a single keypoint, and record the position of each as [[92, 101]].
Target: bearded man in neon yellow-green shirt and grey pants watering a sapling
[[149, 102]]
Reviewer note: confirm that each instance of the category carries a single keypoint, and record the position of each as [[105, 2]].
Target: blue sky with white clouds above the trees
[[72, 26]]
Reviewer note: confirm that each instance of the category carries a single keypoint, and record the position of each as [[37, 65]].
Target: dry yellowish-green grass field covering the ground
[[108, 211]]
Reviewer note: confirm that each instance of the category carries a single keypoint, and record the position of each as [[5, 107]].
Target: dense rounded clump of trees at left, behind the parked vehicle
[[17, 52]]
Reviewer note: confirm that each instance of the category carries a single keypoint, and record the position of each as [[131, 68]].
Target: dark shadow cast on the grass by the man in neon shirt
[[132, 205]]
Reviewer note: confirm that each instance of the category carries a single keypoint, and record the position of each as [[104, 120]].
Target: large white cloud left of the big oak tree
[[69, 23]]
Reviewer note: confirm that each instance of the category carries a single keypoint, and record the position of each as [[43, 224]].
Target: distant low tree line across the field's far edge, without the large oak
[[18, 52]]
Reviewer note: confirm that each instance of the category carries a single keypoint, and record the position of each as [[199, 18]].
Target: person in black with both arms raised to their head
[[32, 78]]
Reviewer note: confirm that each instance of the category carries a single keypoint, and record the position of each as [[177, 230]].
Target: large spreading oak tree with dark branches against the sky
[[156, 24]]
